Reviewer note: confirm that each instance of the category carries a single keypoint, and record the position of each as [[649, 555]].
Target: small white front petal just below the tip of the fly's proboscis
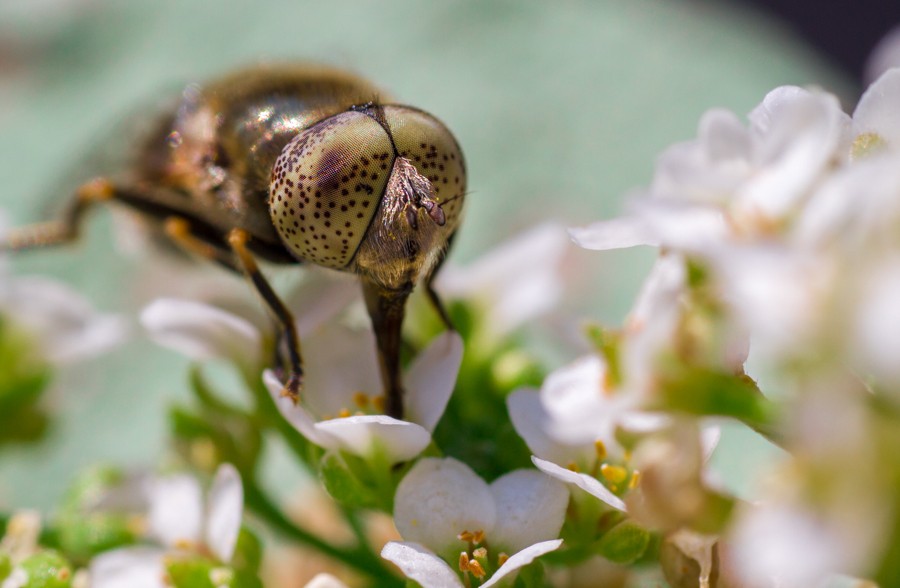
[[366, 435]]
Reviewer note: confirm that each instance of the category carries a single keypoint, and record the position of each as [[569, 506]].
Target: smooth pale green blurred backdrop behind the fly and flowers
[[561, 109]]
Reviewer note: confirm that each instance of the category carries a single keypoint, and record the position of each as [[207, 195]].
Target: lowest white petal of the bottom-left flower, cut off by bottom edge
[[135, 567]]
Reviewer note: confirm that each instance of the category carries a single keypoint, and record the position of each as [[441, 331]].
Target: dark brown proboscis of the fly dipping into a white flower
[[387, 309]]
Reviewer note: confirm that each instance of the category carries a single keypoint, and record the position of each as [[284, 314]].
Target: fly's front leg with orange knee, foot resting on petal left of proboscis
[[237, 240]]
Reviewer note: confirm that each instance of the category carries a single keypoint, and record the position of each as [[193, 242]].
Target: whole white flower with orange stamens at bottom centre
[[444, 510]]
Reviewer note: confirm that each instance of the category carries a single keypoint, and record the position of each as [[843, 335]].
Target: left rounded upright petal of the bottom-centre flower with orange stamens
[[440, 498]]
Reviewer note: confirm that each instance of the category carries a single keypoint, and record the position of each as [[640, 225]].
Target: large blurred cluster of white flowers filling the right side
[[785, 234]]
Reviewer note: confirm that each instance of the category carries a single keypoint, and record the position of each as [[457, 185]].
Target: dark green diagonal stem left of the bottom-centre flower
[[359, 559]]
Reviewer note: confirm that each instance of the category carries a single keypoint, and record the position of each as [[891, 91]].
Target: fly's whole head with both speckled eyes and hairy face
[[373, 190]]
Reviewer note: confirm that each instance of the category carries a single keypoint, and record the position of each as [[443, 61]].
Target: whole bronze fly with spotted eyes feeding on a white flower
[[295, 164]]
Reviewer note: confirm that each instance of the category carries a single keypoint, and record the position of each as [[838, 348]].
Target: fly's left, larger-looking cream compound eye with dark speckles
[[326, 187]]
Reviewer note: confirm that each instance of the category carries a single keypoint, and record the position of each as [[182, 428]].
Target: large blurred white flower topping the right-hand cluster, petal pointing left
[[733, 181]]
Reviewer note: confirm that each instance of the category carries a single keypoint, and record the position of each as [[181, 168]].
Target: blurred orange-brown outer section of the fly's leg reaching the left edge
[[64, 230]]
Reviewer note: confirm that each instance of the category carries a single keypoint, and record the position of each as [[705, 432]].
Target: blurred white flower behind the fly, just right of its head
[[516, 282]]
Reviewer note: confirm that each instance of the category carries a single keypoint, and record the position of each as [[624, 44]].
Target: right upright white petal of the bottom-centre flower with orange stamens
[[531, 507]]
